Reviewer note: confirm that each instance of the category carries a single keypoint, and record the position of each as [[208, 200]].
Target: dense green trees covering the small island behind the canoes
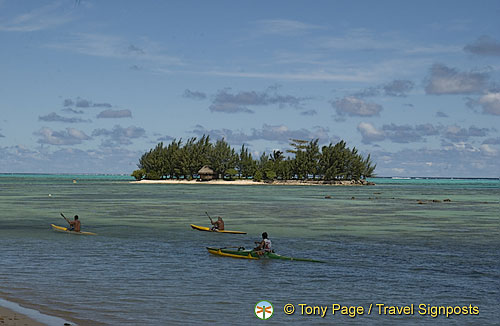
[[305, 162]]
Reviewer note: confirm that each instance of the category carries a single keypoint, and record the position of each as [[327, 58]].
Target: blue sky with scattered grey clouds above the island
[[88, 86]]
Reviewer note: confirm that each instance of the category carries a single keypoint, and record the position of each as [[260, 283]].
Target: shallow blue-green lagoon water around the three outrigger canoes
[[146, 266]]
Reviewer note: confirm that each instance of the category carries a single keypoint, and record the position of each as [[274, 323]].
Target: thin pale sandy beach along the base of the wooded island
[[253, 183]]
